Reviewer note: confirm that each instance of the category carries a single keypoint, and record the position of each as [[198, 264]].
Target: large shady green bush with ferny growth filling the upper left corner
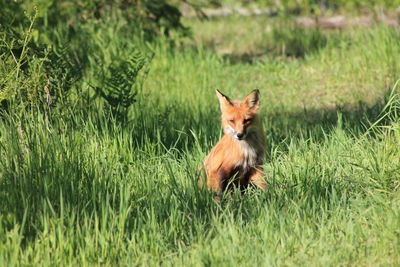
[[49, 45]]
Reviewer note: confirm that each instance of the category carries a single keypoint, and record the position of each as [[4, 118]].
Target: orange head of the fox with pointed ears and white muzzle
[[240, 118]]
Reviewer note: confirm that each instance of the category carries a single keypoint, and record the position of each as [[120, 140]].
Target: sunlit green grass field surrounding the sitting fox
[[87, 190]]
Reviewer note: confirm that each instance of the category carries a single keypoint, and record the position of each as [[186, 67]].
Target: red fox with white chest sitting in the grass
[[237, 158]]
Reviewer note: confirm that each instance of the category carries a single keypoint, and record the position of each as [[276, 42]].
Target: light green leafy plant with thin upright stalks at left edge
[[35, 75]]
